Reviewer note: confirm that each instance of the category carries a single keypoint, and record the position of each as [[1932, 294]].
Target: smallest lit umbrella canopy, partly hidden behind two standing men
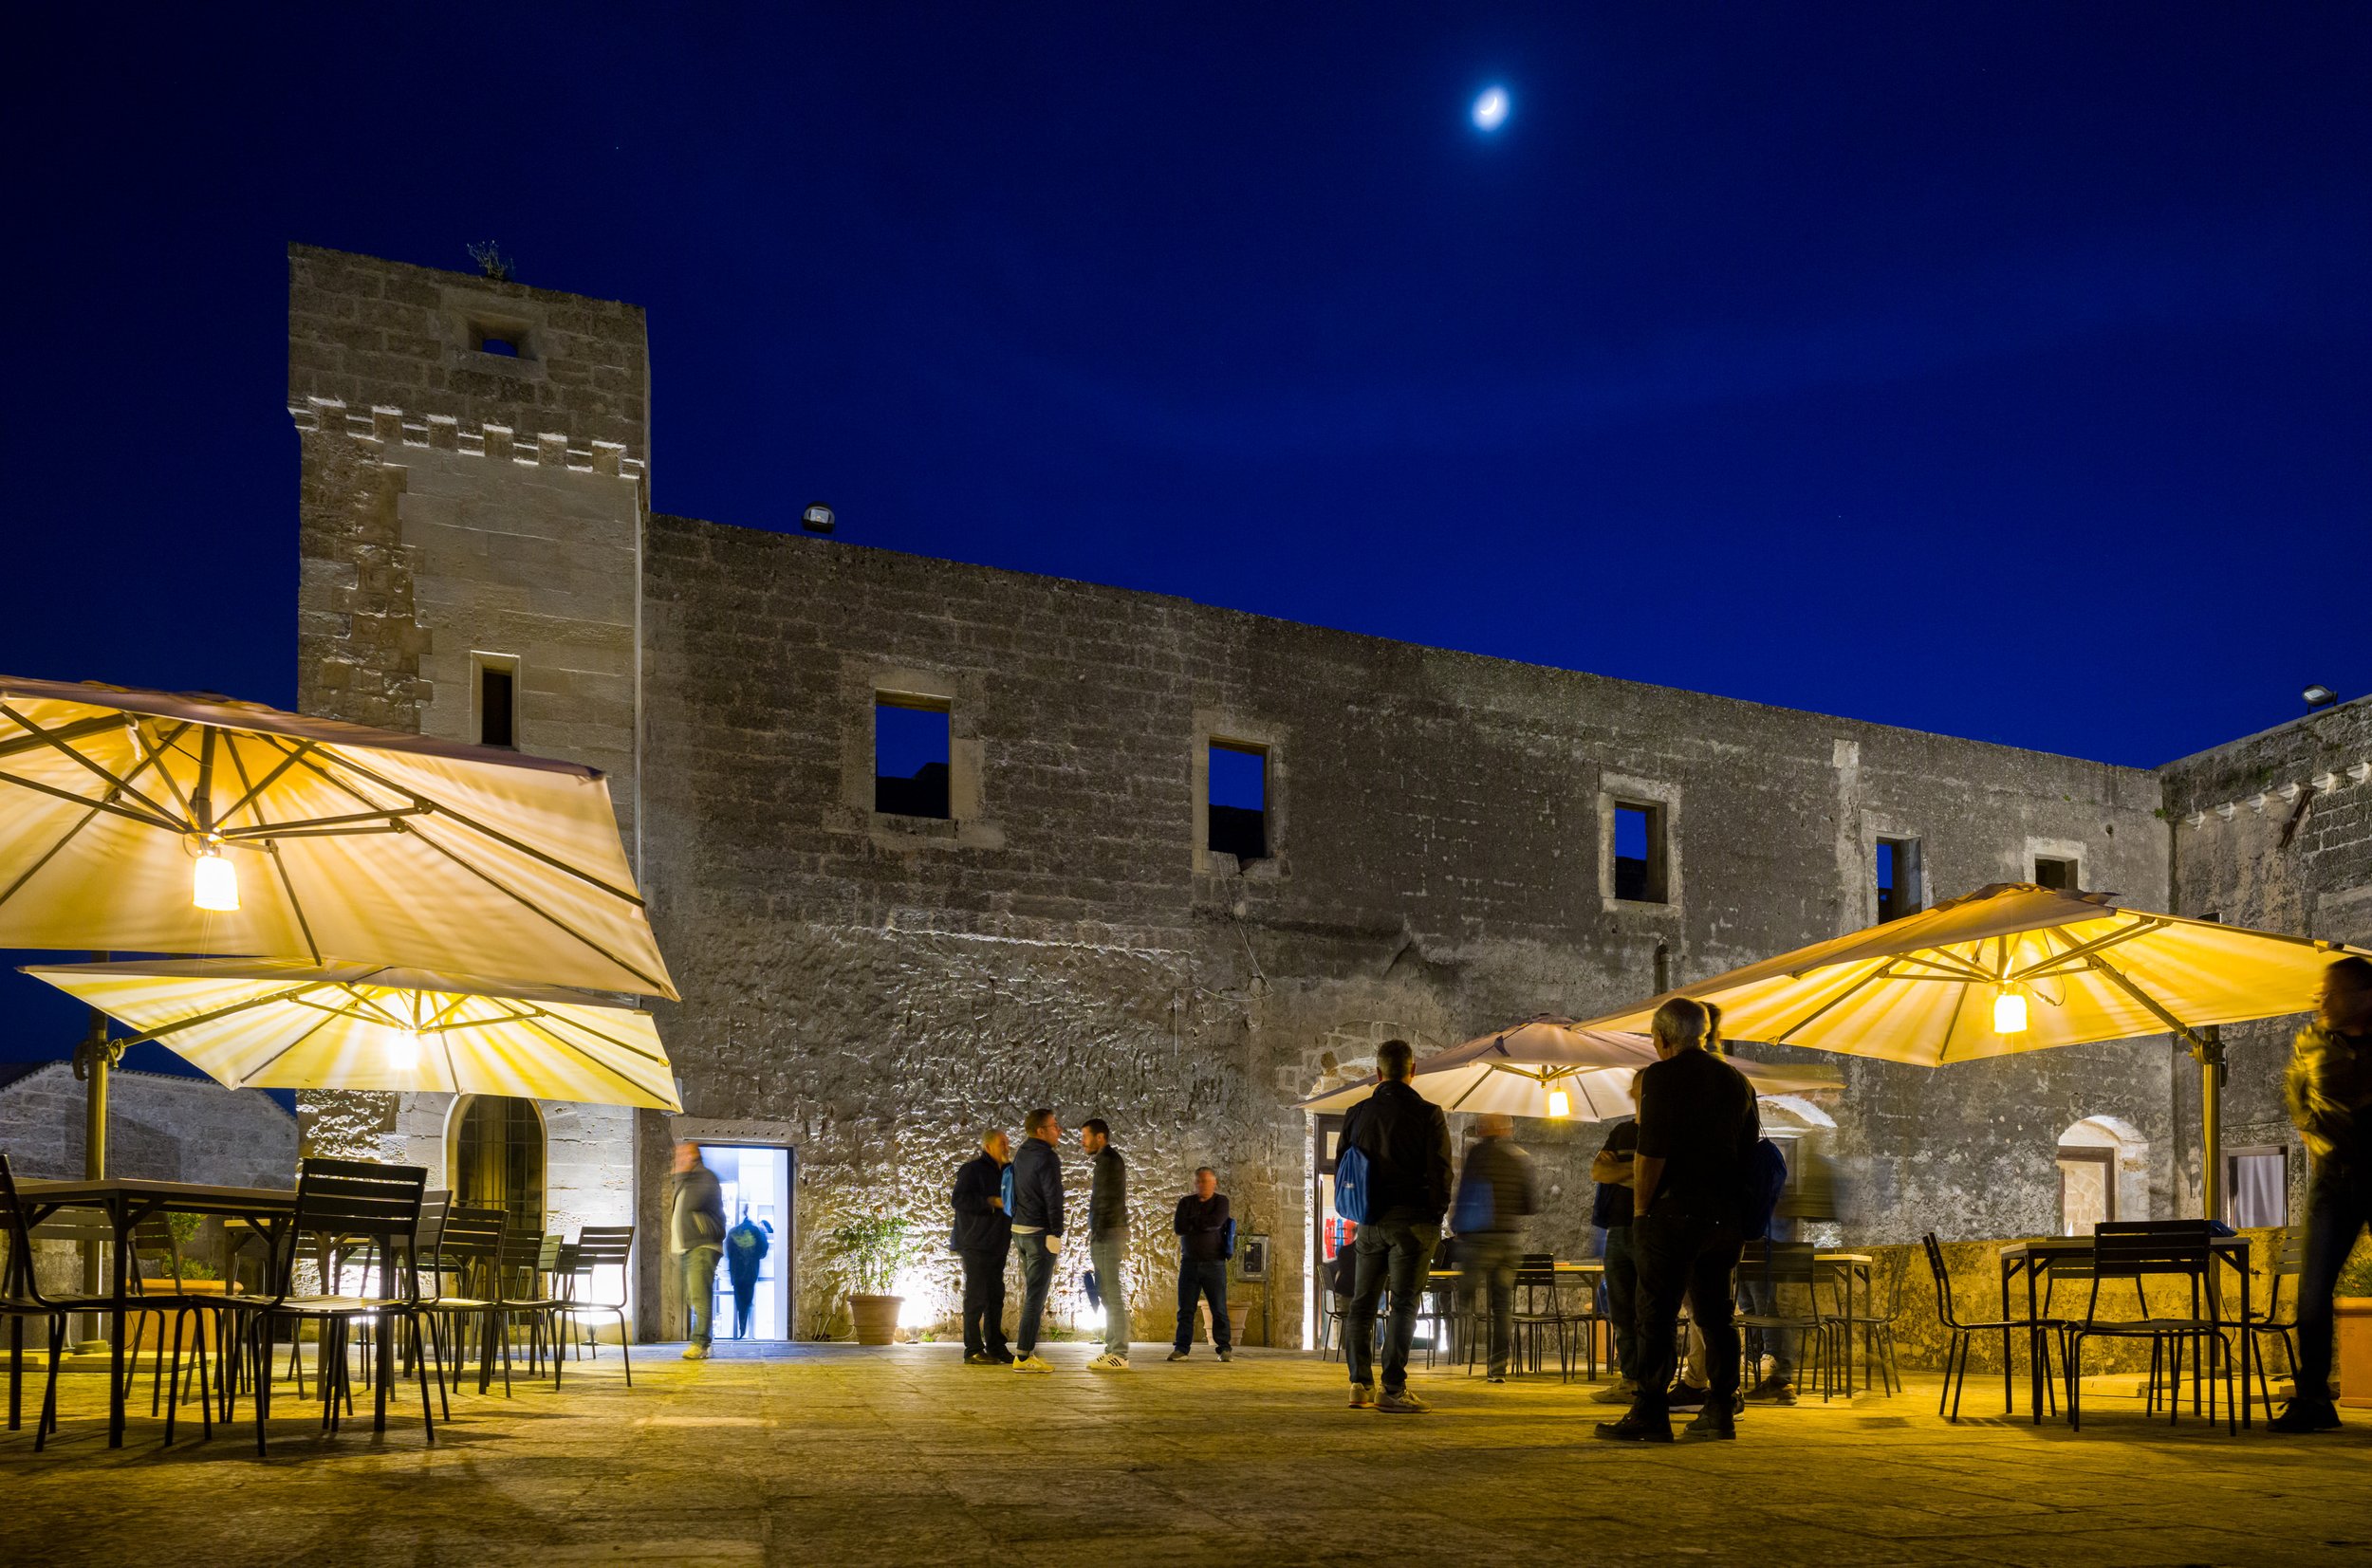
[[1522, 1071]]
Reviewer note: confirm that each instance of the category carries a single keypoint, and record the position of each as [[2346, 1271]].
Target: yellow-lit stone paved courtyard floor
[[839, 1455]]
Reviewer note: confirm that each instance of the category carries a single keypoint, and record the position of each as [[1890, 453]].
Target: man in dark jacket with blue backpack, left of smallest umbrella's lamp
[[1405, 1140]]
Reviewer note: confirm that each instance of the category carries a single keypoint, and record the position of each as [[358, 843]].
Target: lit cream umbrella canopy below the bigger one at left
[[352, 1026]]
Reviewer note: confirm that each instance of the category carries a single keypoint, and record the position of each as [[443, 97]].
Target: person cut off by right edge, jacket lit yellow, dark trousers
[[2330, 1099]]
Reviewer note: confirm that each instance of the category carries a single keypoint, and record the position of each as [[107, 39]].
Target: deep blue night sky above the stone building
[[1984, 369]]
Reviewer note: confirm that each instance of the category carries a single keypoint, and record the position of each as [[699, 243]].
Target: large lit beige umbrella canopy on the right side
[[2010, 969]]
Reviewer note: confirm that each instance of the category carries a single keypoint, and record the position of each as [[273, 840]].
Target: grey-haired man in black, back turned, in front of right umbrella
[[1697, 1135]]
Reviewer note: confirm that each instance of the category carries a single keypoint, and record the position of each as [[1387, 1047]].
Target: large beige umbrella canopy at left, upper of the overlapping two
[[196, 824]]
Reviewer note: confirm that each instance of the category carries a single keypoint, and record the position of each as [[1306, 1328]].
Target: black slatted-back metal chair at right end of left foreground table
[[347, 1202]]
